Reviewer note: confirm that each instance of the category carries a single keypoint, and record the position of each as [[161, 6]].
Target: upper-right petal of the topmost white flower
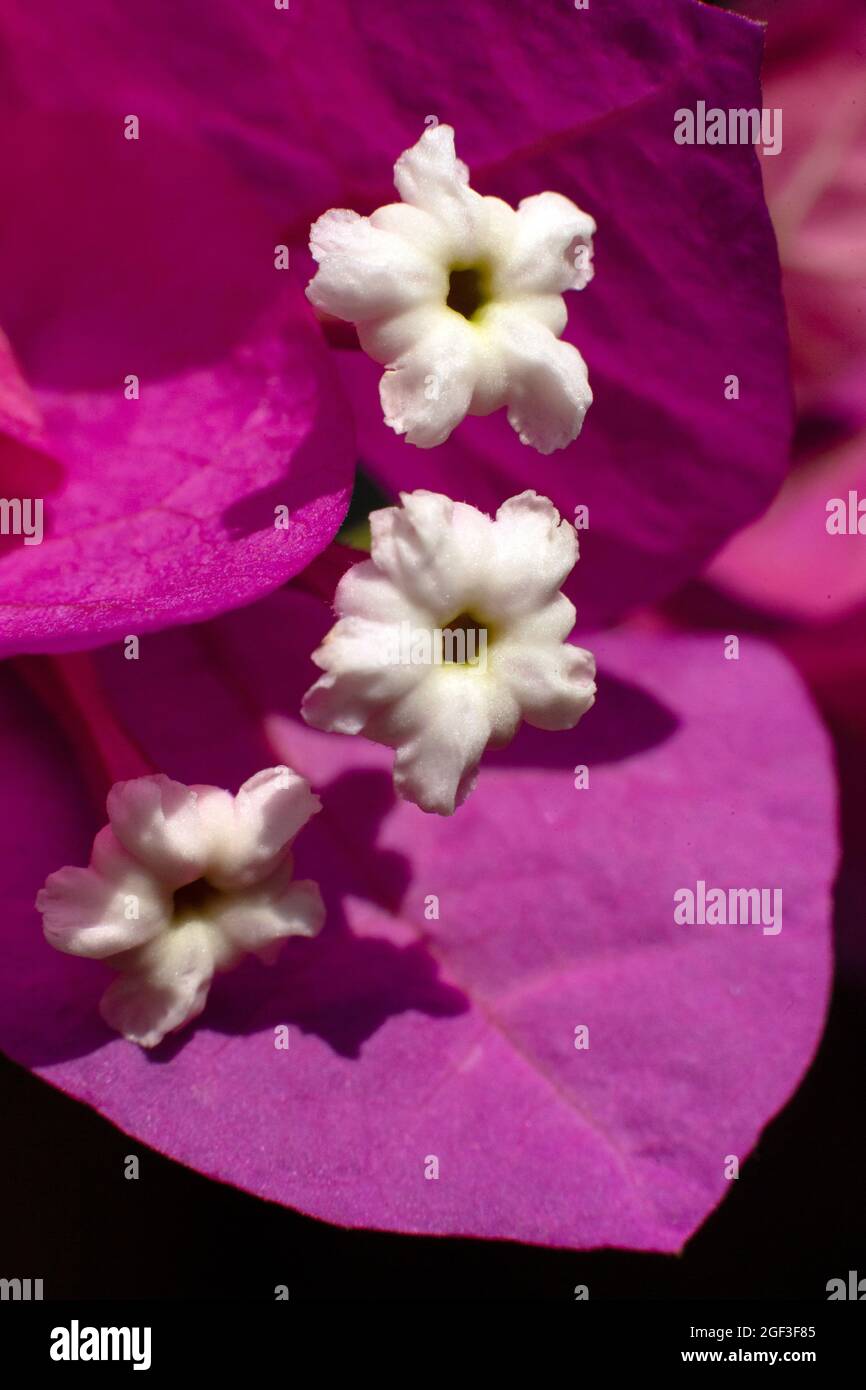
[[553, 250]]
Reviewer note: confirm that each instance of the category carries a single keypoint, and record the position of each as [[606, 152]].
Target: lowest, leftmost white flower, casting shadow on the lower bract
[[184, 882]]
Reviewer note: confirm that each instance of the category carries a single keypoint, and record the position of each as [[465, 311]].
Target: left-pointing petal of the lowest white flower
[[111, 907]]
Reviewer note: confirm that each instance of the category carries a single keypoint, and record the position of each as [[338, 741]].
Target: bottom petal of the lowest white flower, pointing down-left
[[162, 986]]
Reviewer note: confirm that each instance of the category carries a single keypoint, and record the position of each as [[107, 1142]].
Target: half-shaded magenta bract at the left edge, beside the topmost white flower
[[166, 400]]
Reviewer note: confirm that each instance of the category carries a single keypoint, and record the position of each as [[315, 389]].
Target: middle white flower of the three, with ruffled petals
[[441, 571]]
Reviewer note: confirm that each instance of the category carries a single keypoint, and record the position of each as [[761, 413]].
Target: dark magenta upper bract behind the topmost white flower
[[313, 105]]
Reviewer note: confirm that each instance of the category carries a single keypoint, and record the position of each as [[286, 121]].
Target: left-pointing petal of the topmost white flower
[[369, 273]]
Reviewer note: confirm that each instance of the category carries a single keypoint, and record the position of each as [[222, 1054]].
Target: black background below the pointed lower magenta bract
[[794, 1220]]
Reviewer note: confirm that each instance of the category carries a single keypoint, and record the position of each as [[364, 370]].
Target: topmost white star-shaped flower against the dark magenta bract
[[461, 298]]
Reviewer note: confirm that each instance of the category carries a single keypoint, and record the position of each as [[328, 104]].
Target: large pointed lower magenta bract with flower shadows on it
[[439, 1024]]
